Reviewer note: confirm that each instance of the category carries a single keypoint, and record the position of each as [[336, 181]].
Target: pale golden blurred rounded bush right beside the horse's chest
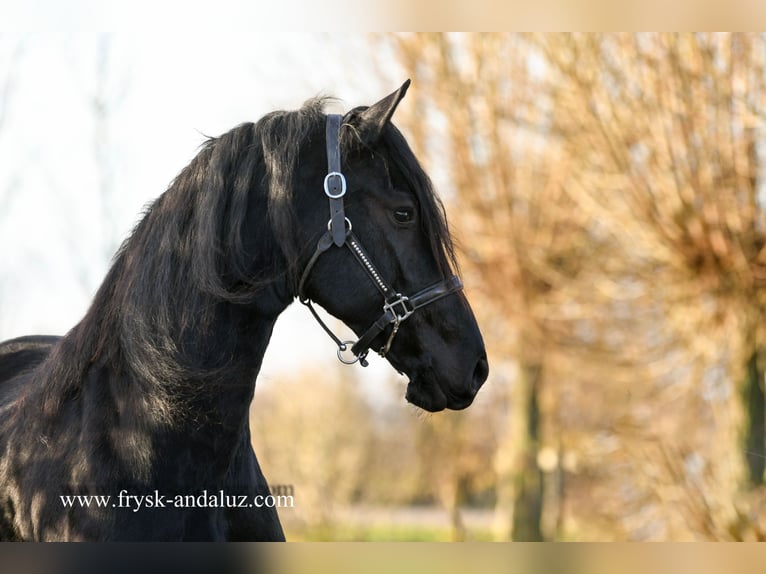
[[313, 431]]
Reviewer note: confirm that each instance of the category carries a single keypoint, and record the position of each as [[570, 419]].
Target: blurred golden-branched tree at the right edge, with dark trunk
[[665, 130]]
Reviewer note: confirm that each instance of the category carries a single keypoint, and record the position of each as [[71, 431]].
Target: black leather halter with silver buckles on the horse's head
[[396, 307]]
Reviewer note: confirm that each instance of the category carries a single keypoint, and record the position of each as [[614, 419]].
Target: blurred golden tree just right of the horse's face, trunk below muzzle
[[468, 85]]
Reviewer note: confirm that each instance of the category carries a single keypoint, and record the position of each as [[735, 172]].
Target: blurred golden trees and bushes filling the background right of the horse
[[607, 194]]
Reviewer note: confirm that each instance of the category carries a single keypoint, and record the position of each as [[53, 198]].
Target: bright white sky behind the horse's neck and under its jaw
[[160, 94]]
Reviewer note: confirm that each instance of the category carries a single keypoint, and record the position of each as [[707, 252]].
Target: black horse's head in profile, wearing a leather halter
[[389, 273]]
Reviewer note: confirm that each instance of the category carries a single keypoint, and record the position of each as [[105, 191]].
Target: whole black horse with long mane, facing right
[[148, 395]]
